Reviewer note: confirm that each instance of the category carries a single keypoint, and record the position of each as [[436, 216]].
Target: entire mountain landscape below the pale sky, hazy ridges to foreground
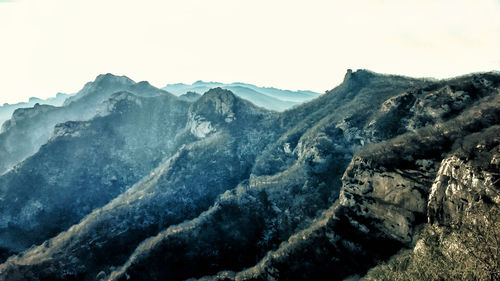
[[238, 182]]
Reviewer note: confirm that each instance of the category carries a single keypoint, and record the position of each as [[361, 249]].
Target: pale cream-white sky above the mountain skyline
[[50, 46]]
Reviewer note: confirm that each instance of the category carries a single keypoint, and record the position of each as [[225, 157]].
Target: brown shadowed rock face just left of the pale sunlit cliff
[[394, 199]]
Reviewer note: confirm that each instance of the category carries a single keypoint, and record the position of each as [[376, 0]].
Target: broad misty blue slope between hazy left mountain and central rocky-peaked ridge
[[92, 160]]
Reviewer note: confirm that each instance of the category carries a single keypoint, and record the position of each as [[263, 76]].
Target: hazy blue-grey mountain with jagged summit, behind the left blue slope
[[30, 128]]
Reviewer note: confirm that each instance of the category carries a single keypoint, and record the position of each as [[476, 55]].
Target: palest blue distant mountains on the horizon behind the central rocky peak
[[270, 98]]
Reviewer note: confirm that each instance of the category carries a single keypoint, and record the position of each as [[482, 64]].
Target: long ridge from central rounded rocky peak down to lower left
[[220, 158]]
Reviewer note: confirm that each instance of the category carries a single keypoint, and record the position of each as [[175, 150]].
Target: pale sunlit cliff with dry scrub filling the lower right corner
[[461, 240]]
